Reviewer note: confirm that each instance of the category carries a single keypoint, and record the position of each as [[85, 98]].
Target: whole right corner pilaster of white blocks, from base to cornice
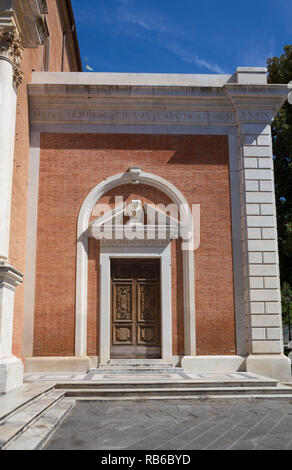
[[255, 109]]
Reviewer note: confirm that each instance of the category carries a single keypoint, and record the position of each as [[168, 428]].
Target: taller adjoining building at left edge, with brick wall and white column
[[32, 38]]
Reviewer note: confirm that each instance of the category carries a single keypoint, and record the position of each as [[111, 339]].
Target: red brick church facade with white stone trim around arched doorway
[[143, 230]]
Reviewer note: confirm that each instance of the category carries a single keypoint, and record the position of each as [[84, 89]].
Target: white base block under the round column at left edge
[[11, 374]]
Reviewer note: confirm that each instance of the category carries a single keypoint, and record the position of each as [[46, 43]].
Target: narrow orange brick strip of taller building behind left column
[[32, 60]]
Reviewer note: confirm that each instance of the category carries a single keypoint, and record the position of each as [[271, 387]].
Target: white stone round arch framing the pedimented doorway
[[134, 176]]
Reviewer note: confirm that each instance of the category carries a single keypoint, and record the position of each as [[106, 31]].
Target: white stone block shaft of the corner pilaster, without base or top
[[260, 238]]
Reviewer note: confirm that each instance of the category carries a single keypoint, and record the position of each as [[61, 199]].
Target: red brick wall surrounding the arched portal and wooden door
[[71, 165]]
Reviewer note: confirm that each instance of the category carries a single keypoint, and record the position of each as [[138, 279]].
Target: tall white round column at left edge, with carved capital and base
[[11, 369]]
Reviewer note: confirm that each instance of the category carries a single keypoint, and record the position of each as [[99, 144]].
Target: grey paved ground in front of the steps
[[173, 425]]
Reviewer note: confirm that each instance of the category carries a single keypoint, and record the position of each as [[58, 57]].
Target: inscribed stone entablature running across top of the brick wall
[[78, 103]]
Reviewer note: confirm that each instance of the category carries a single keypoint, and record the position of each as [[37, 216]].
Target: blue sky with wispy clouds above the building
[[181, 36]]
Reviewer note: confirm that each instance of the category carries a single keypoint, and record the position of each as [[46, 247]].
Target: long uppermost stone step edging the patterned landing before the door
[[164, 383]]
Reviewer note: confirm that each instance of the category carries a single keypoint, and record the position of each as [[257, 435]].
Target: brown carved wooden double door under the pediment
[[136, 315]]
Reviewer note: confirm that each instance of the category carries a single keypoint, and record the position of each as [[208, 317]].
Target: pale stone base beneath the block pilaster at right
[[275, 367]]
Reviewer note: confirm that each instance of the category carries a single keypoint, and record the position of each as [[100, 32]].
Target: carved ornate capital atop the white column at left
[[11, 49]]
